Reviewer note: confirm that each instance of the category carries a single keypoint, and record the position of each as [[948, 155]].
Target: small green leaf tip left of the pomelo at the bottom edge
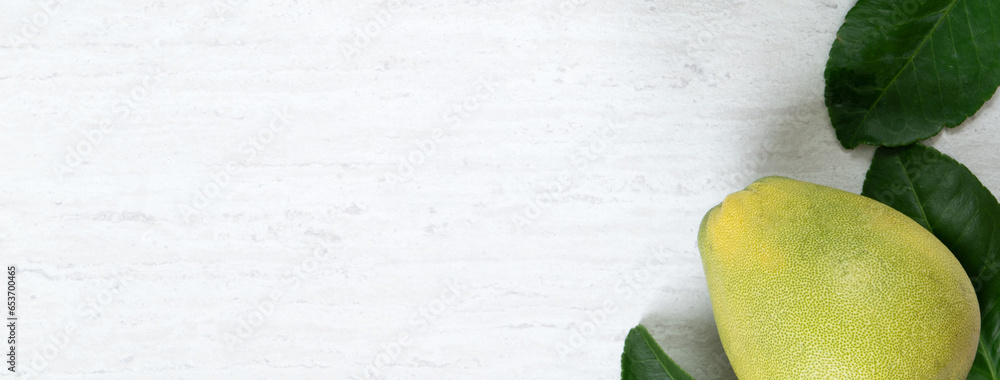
[[643, 359]]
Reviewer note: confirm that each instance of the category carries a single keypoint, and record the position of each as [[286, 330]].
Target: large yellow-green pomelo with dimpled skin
[[811, 282]]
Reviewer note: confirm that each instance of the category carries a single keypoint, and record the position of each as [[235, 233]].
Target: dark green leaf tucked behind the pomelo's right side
[[947, 199]]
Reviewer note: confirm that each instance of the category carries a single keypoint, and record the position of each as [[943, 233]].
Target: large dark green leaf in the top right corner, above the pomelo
[[900, 70]]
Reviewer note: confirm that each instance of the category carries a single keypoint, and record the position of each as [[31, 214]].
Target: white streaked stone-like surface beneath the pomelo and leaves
[[468, 189]]
